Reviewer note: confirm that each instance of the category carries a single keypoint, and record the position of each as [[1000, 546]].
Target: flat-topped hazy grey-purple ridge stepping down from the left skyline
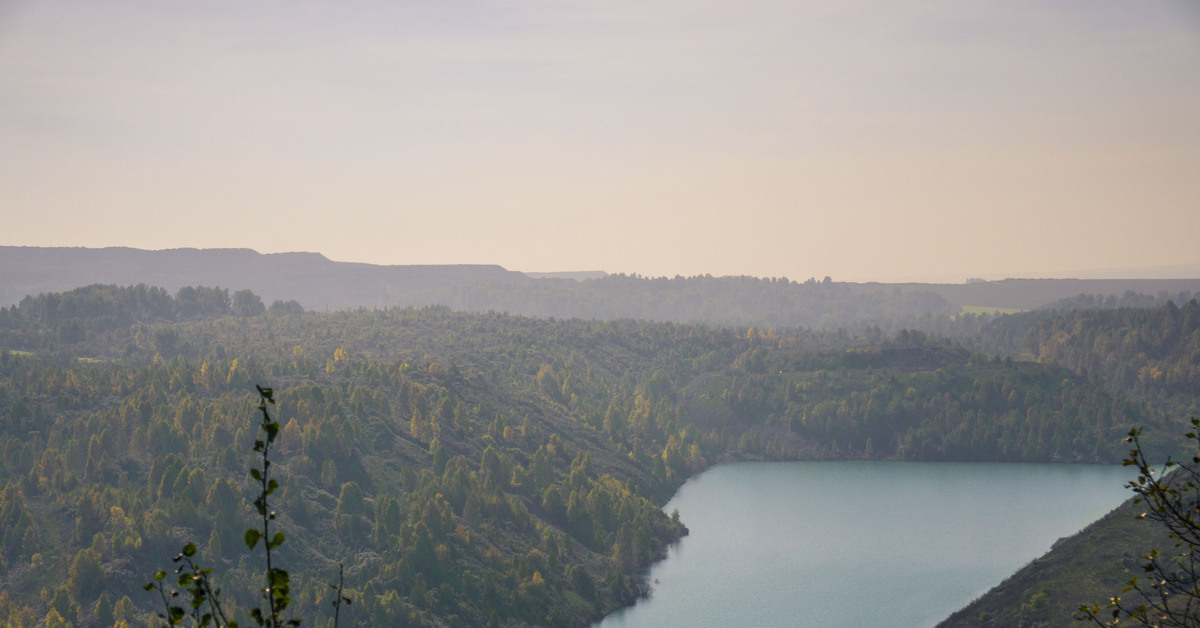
[[311, 279]]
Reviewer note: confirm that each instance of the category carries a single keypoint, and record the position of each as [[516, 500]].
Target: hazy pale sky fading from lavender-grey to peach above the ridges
[[867, 140]]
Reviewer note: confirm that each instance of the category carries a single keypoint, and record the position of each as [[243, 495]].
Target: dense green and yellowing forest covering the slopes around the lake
[[487, 469]]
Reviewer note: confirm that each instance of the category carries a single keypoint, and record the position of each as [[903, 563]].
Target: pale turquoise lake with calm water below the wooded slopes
[[860, 543]]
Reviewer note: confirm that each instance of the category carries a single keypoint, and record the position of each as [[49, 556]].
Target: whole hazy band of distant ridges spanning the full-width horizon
[[320, 284]]
